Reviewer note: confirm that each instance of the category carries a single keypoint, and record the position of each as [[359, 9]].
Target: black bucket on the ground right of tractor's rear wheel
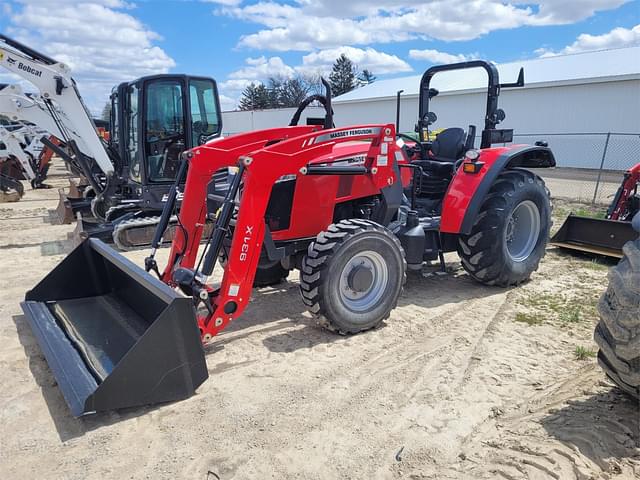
[[594, 235]]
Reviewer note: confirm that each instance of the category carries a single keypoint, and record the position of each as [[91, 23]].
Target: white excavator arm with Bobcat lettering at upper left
[[57, 89]]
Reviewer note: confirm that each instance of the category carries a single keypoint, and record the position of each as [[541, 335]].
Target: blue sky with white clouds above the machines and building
[[242, 41]]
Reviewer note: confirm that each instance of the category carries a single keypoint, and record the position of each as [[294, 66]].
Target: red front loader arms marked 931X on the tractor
[[258, 171]]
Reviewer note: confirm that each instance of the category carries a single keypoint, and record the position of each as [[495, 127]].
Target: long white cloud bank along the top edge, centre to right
[[310, 24]]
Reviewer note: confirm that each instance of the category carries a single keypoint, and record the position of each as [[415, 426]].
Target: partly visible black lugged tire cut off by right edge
[[618, 332]]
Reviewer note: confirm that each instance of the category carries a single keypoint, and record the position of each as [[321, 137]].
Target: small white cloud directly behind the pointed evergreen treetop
[[369, 58]]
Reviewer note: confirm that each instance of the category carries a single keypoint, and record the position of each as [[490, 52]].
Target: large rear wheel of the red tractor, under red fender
[[510, 233]]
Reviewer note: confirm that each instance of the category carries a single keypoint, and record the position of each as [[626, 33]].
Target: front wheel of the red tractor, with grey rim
[[352, 275]]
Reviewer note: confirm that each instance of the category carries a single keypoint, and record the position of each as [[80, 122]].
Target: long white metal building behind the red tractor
[[591, 92]]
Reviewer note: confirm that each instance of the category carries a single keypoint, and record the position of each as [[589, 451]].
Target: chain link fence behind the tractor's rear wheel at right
[[589, 165]]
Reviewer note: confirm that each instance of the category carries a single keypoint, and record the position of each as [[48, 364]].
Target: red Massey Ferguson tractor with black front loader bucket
[[350, 207]]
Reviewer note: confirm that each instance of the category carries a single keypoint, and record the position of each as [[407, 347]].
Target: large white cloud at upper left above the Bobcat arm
[[103, 45]]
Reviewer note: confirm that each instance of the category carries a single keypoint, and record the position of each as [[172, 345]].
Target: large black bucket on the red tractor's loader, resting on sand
[[113, 335]]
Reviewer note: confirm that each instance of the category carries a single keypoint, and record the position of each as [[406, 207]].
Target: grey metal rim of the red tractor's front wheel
[[358, 297]]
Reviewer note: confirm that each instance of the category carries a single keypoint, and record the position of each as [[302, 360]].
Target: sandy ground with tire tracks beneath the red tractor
[[463, 381]]
